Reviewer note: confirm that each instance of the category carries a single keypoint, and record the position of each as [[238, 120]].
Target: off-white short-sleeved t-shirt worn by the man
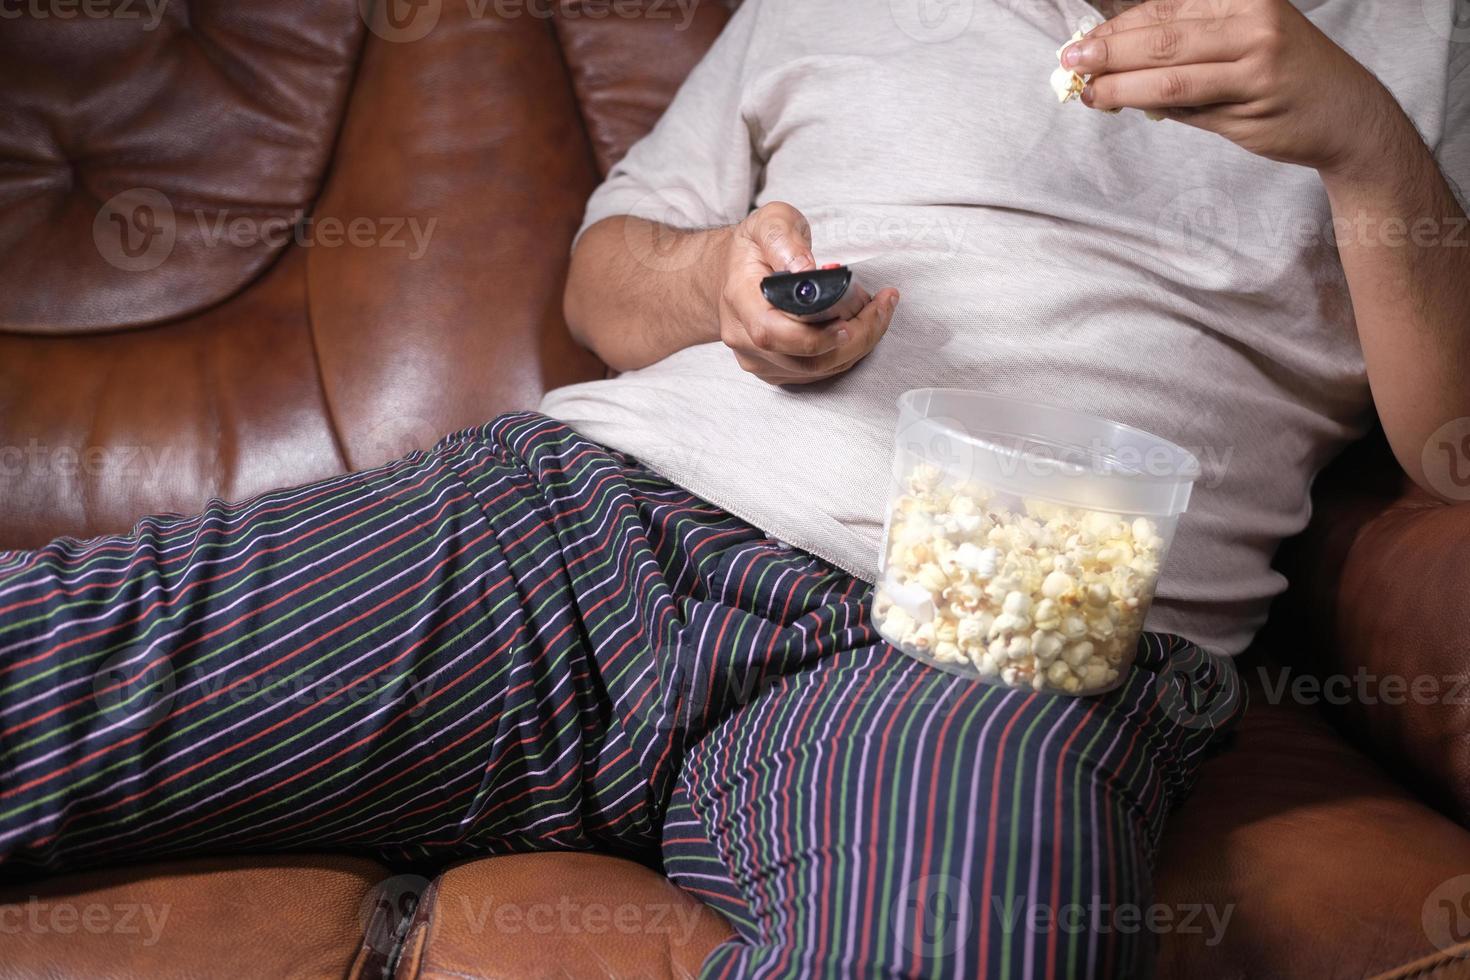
[[1147, 273]]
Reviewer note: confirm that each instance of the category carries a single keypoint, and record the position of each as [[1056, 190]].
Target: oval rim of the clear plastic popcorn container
[[1187, 472]]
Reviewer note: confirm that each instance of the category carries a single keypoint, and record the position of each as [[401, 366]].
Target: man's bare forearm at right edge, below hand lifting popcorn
[[1406, 251]]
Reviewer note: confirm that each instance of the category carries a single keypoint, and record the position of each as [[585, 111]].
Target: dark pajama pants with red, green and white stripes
[[524, 641]]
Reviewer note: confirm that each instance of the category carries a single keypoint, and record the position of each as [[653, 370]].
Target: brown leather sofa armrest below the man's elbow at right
[[1377, 625]]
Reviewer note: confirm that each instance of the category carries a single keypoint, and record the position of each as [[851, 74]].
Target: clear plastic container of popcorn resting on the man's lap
[[1024, 543]]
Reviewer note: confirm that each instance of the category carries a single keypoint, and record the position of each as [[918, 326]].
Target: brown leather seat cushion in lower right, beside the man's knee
[[1325, 865]]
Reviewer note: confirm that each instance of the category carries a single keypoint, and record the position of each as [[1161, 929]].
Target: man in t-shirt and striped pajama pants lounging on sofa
[[643, 622]]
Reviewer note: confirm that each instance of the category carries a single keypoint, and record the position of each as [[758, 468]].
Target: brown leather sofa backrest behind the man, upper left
[[439, 154]]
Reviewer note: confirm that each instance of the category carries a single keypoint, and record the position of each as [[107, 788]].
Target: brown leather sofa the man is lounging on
[[211, 286]]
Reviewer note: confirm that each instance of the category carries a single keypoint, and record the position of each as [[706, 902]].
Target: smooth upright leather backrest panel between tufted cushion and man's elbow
[[473, 136]]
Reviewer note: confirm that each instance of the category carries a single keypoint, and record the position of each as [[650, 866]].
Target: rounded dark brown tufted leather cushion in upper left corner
[[130, 145]]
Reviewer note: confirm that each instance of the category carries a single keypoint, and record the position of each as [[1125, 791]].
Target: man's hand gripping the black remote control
[[775, 346]]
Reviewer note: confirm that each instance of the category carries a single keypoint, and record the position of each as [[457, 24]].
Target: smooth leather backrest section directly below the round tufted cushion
[[124, 425]]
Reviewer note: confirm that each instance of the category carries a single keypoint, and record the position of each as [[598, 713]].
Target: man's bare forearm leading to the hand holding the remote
[[639, 292]]
